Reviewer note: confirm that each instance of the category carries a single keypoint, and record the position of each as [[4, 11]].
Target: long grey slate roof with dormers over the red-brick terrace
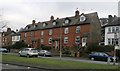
[[74, 20]]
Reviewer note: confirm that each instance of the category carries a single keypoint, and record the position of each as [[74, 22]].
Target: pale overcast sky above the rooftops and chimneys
[[19, 13]]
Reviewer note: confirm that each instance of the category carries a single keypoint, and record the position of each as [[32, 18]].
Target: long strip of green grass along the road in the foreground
[[55, 63]]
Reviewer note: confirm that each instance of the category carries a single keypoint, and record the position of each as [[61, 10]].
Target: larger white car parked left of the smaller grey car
[[28, 52]]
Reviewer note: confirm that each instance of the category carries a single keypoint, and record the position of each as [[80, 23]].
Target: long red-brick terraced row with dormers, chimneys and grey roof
[[78, 30]]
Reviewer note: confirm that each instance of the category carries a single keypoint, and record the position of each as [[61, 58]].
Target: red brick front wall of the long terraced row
[[56, 35]]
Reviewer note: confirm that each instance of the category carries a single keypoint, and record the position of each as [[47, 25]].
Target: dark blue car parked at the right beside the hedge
[[101, 56]]
